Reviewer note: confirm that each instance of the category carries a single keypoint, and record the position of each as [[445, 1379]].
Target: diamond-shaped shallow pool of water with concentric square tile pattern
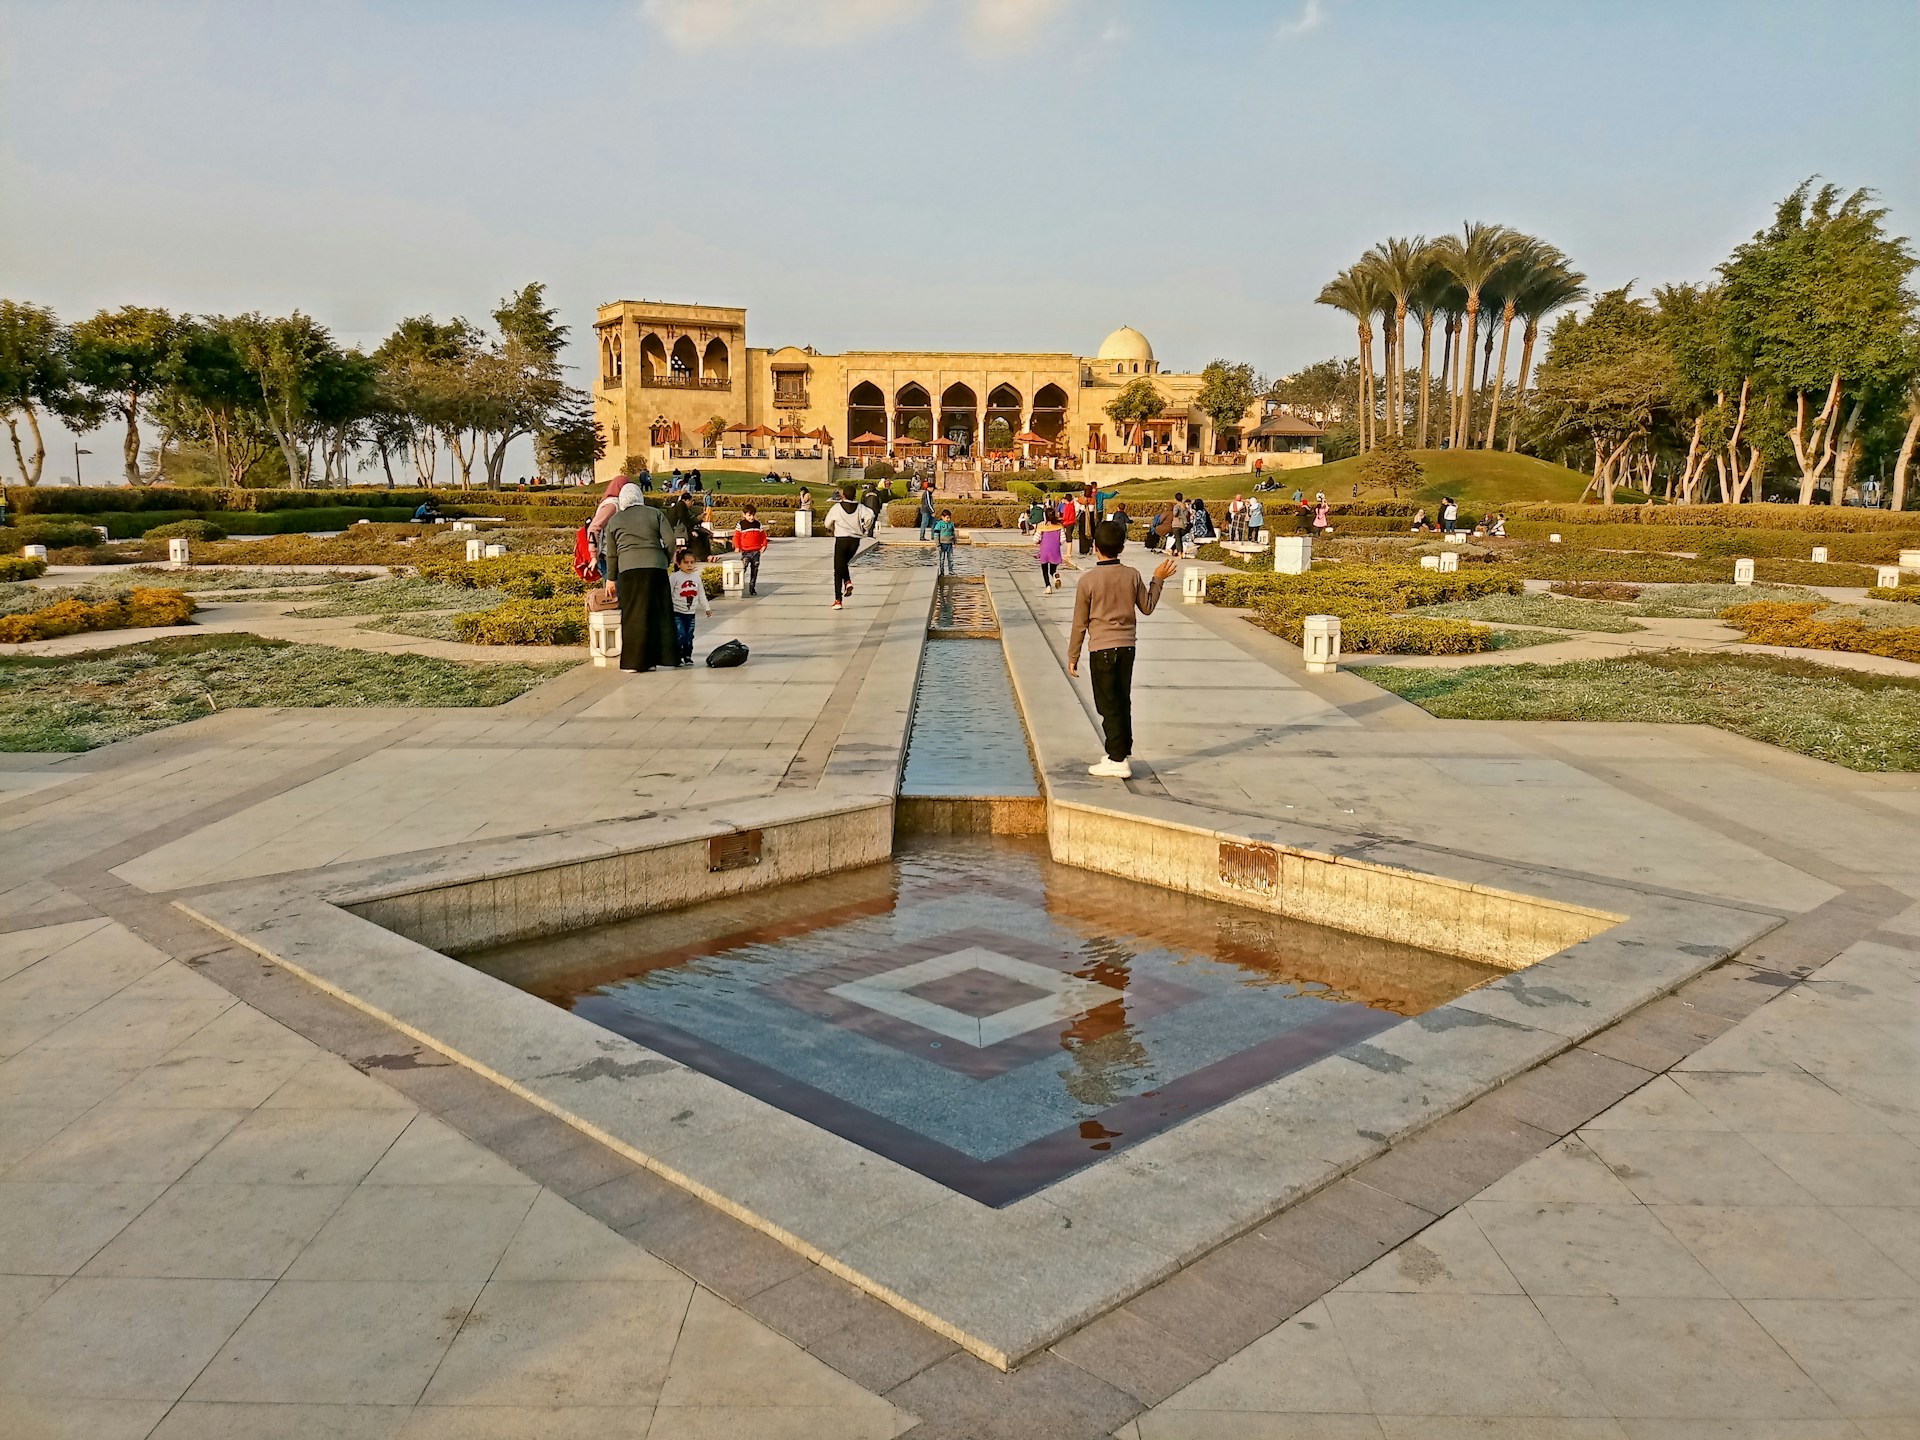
[[980, 1015]]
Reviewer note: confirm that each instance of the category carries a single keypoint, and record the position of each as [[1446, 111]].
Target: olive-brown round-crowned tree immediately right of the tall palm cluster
[[1606, 381]]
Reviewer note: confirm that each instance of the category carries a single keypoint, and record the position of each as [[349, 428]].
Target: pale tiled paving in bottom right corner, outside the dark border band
[[1733, 1251]]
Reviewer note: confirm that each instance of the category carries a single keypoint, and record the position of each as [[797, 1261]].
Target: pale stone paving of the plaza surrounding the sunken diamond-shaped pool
[[233, 1205]]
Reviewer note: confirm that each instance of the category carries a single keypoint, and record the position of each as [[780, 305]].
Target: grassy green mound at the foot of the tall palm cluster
[[1477, 479]]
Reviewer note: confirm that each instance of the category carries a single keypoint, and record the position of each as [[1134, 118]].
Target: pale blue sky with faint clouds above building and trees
[[909, 174]]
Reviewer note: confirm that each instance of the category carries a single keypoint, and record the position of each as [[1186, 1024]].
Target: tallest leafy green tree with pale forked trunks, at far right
[[1819, 314]]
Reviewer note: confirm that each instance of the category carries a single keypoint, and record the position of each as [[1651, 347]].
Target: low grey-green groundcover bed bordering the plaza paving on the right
[[1860, 721]]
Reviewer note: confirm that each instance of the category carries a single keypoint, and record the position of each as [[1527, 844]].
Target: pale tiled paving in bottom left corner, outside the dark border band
[[212, 1228]]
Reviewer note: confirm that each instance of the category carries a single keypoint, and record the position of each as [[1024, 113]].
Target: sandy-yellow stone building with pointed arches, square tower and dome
[[669, 372]]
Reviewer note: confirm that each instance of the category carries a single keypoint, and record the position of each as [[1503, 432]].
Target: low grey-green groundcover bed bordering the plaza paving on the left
[[80, 702]]
